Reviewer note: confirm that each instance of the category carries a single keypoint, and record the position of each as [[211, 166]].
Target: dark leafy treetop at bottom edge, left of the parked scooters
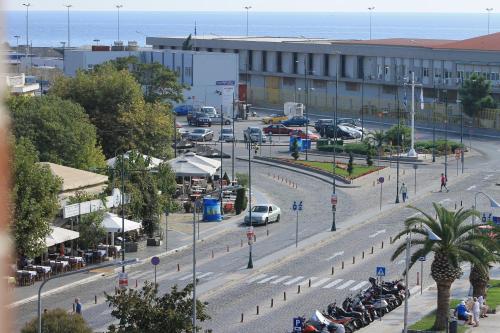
[[144, 310]]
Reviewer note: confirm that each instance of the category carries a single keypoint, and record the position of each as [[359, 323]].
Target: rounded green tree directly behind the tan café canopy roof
[[60, 130]]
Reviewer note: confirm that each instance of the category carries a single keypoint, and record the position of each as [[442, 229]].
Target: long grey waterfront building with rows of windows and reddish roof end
[[368, 73]]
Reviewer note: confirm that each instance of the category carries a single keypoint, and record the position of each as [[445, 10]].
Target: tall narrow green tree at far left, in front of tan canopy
[[35, 200]]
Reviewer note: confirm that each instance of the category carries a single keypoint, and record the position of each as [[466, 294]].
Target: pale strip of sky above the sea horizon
[[438, 6]]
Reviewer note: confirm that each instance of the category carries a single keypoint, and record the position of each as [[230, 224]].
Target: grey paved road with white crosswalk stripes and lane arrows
[[279, 267]]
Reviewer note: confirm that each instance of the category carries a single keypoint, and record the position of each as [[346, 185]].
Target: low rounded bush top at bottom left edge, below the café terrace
[[58, 321]]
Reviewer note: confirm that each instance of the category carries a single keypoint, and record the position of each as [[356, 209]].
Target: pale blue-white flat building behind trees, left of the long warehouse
[[205, 74]]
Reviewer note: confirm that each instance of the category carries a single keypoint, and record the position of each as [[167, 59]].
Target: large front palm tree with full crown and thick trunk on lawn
[[458, 244]]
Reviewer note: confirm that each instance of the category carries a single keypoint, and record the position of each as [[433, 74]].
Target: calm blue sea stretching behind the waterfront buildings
[[50, 28]]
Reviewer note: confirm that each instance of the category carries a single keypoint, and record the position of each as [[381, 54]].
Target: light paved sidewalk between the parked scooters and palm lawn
[[421, 305]]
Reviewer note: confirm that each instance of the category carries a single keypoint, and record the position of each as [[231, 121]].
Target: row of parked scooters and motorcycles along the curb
[[356, 311]]
